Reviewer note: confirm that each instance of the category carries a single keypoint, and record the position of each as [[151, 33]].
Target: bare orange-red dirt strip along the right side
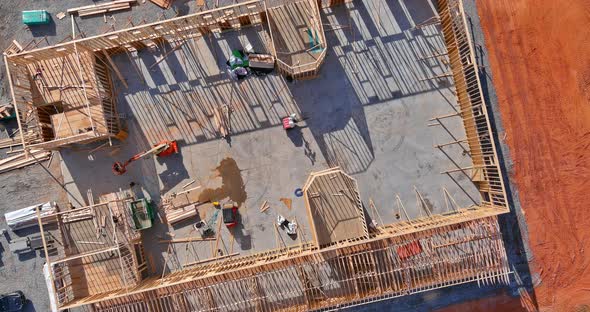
[[540, 60]]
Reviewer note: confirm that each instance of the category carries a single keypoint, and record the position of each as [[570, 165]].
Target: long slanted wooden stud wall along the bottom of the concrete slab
[[356, 273]]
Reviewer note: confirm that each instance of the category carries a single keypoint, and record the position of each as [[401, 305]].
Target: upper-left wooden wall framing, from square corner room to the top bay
[[102, 46]]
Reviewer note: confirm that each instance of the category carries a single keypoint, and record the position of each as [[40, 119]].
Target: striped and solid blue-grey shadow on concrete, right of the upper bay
[[379, 63]]
